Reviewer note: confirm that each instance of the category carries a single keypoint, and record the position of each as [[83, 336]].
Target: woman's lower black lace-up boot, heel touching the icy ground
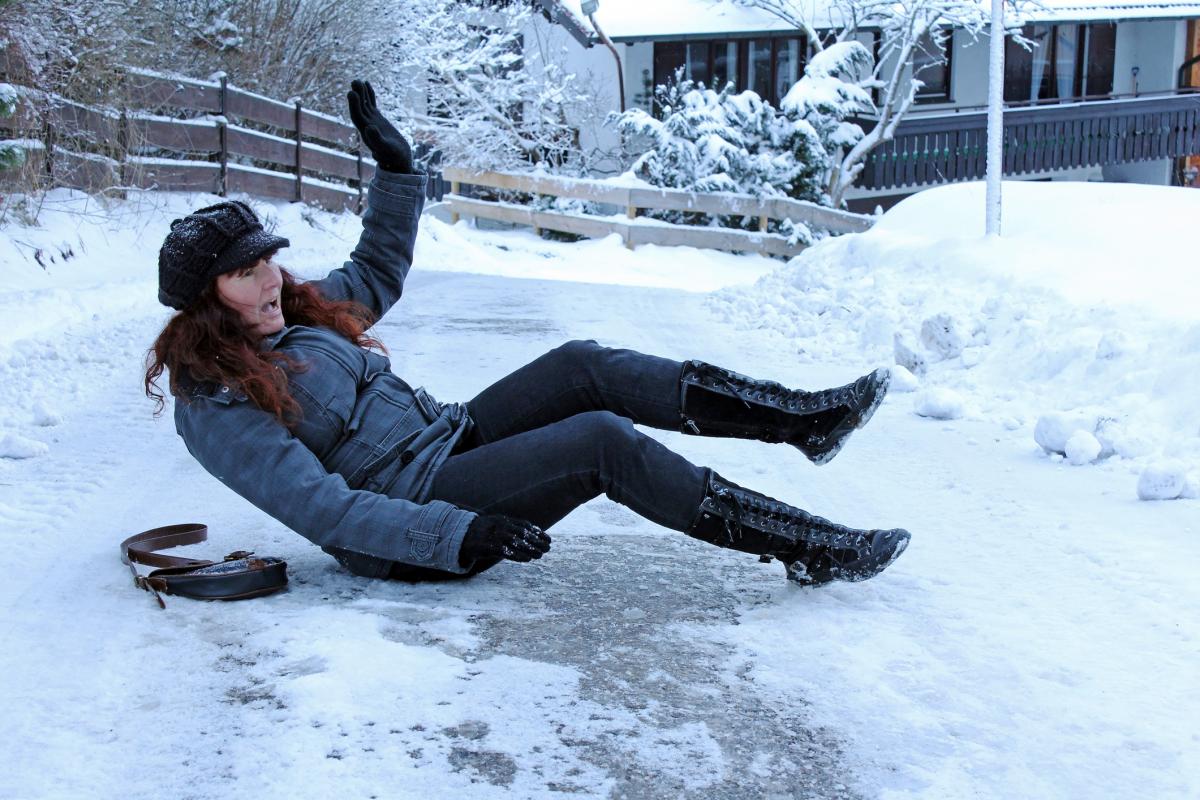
[[814, 550]]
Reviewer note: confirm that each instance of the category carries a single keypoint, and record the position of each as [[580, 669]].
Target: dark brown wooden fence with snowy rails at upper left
[[241, 142]]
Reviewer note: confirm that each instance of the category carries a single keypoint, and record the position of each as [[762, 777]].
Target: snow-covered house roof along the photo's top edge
[[640, 20]]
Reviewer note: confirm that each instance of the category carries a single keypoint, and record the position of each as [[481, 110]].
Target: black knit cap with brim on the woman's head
[[208, 243]]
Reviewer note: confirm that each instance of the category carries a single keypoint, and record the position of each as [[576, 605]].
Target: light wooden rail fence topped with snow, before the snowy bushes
[[640, 231]]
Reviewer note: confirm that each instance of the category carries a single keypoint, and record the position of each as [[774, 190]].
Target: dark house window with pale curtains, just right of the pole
[[1069, 62]]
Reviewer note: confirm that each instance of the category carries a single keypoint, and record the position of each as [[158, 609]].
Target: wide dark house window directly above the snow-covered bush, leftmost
[[767, 67]]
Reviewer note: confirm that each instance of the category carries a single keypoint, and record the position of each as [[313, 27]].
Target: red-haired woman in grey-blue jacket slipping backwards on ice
[[281, 394]]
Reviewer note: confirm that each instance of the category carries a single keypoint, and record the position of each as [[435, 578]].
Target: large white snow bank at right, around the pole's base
[[1078, 328]]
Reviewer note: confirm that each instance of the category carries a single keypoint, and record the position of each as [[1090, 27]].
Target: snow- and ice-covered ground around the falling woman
[[1039, 640]]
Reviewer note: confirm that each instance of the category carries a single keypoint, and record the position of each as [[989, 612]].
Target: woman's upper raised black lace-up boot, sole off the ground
[[717, 402]]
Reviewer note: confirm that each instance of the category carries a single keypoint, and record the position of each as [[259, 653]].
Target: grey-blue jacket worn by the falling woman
[[355, 474]]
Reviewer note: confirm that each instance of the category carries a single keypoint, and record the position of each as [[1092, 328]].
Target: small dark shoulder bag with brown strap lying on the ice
[[239, 576]]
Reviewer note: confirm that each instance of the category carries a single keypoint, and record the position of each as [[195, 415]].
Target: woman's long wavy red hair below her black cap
[[208, 342]]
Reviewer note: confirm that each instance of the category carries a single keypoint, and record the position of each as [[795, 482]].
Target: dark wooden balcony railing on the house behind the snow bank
[[946, 148]]
